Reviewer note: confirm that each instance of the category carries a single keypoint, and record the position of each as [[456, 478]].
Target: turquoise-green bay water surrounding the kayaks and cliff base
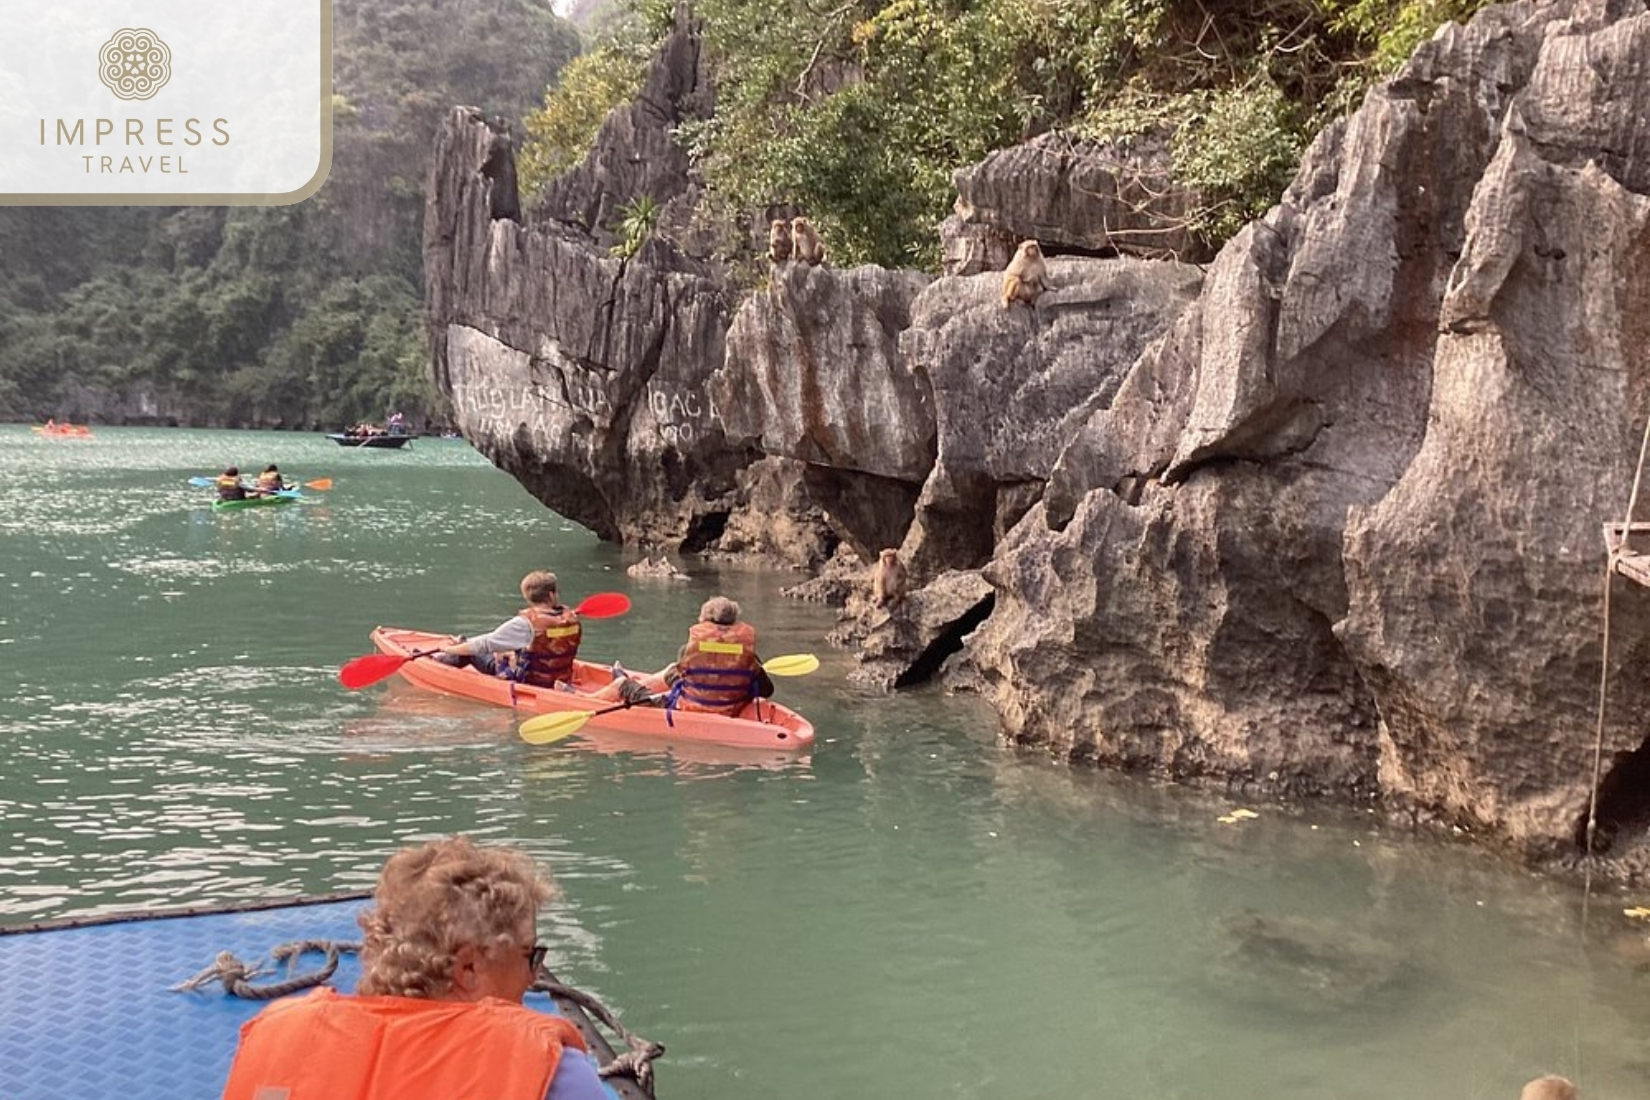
[[905, 911]]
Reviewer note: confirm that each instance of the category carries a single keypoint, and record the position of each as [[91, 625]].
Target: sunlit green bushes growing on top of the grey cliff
[[860, 111]]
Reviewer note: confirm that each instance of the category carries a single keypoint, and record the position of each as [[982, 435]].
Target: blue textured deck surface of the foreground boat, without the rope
[[87, 1012]]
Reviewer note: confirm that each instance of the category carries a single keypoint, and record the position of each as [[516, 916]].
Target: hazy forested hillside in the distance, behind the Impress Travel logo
[[301, 316]]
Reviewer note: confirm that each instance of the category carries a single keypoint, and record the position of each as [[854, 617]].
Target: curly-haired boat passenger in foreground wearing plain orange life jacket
[[450, 951]]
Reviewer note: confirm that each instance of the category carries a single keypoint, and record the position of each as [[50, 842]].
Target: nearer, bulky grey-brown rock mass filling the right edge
[[1341, 529]]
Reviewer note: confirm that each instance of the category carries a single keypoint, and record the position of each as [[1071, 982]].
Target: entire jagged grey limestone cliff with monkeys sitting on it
[[1322, 520]]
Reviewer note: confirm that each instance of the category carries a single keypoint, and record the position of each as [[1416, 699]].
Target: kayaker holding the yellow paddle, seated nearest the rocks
[[717, 670]]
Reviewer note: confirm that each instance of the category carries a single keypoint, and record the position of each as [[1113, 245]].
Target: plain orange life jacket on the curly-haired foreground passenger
[[397, 1048]]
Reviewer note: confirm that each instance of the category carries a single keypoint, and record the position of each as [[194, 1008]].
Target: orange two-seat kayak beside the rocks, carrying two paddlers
[[761, 725]]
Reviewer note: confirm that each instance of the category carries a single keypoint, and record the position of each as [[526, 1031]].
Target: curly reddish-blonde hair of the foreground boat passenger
[[438, 898]]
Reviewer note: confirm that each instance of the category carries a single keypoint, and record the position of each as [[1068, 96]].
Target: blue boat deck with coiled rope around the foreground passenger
[[149, 1005]]
